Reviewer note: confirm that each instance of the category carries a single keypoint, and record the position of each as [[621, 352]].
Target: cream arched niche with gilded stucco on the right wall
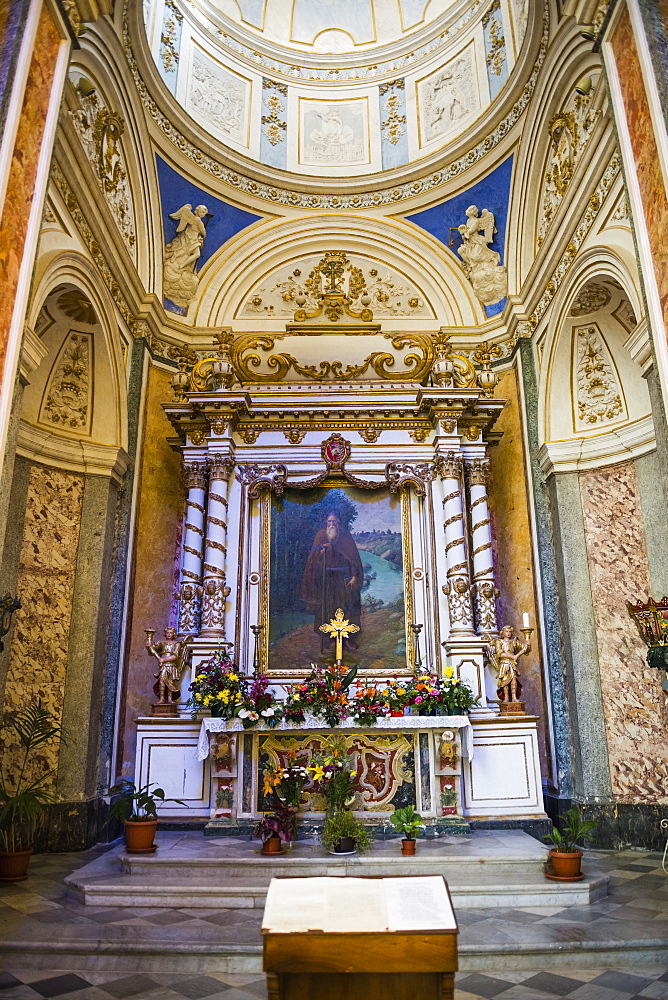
[[596, 405]]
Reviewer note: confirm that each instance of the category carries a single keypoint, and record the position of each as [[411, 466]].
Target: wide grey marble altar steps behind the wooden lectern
[[491, 869]]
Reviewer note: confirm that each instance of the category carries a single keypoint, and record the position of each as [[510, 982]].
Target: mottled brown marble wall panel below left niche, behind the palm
[[40, 636]]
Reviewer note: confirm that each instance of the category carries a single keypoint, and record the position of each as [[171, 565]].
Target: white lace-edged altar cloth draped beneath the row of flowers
[[211, 725]]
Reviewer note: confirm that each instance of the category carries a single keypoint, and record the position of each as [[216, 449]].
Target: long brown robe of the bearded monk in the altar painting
[[326, 574]]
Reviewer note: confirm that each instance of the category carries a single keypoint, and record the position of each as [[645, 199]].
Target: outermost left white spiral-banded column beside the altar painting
[[190, 590]]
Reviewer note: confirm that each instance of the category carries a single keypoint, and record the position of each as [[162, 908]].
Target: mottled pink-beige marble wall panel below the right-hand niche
[[633, 703]]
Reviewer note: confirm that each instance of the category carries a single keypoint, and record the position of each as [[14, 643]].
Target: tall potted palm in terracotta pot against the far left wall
[[23, 795]]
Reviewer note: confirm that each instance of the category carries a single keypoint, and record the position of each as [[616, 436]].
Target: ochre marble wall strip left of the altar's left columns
[[157, 544]]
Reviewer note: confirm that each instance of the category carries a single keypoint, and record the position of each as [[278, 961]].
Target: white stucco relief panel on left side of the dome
[[218, 99]]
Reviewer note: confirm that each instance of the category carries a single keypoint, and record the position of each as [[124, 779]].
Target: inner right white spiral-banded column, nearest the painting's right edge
[[457, 587]]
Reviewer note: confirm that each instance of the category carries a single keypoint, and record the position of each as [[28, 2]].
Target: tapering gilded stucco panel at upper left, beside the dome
[[100, 131]]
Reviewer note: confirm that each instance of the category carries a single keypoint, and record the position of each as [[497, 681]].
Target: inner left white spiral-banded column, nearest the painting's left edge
[[214, 590]]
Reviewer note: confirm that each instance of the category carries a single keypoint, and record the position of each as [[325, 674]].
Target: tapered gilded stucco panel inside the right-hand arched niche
[[598, 393]]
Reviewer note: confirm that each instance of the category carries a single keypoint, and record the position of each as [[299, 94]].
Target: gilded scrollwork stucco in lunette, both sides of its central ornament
[[389, 293]]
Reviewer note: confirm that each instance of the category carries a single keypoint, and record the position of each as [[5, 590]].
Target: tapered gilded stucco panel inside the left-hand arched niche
[[67, 400]]
